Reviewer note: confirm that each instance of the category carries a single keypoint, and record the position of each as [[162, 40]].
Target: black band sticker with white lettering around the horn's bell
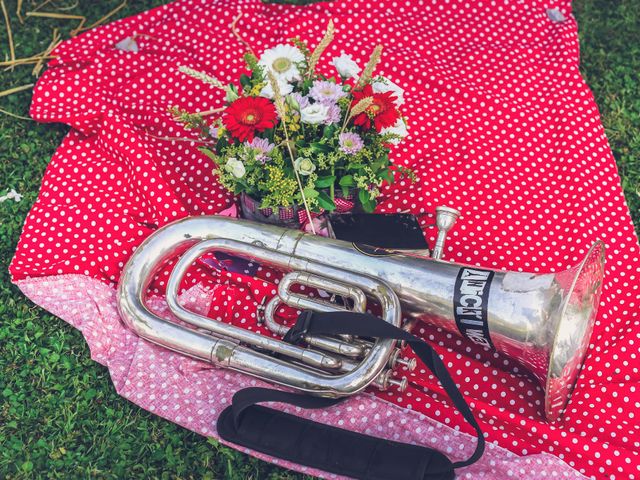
[[470, 299]]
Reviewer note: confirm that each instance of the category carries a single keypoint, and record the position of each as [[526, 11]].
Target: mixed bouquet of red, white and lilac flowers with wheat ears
[[296, 142]]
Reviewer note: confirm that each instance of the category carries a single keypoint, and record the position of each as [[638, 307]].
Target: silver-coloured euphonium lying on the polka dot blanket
[[542, 320]]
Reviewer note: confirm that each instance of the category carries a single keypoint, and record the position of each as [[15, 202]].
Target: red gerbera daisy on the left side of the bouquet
[[248, 115]]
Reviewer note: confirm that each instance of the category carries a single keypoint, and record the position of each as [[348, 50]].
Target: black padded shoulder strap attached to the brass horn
[[332, 449]]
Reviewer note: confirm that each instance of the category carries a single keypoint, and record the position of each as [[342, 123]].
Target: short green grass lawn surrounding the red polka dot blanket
[[60, 416]]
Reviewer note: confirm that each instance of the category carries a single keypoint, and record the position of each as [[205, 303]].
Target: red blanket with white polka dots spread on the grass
[[502, 127]]
